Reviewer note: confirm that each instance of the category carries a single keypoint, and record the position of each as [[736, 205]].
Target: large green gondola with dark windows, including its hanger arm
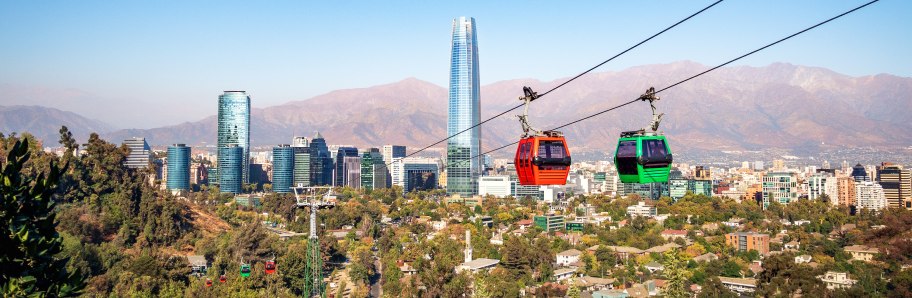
[[644, 156]]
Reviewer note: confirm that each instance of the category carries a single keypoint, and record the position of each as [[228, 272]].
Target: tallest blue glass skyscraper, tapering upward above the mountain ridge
[[464, 111]]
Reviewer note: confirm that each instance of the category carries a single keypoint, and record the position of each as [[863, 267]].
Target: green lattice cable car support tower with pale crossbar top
[[314, 197]]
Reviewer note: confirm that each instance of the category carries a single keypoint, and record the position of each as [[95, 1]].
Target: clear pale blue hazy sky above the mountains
[[141, 64]]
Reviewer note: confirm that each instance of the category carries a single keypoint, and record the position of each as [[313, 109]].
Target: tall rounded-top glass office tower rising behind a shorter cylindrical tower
[[234, 128]]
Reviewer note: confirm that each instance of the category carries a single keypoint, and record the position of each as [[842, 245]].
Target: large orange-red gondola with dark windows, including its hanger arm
[[542, 158]]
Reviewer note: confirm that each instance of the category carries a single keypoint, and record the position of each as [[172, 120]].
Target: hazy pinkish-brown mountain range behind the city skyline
[[733, 108]]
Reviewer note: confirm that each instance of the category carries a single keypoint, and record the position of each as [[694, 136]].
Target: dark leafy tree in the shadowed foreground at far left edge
[[29, 243]]
